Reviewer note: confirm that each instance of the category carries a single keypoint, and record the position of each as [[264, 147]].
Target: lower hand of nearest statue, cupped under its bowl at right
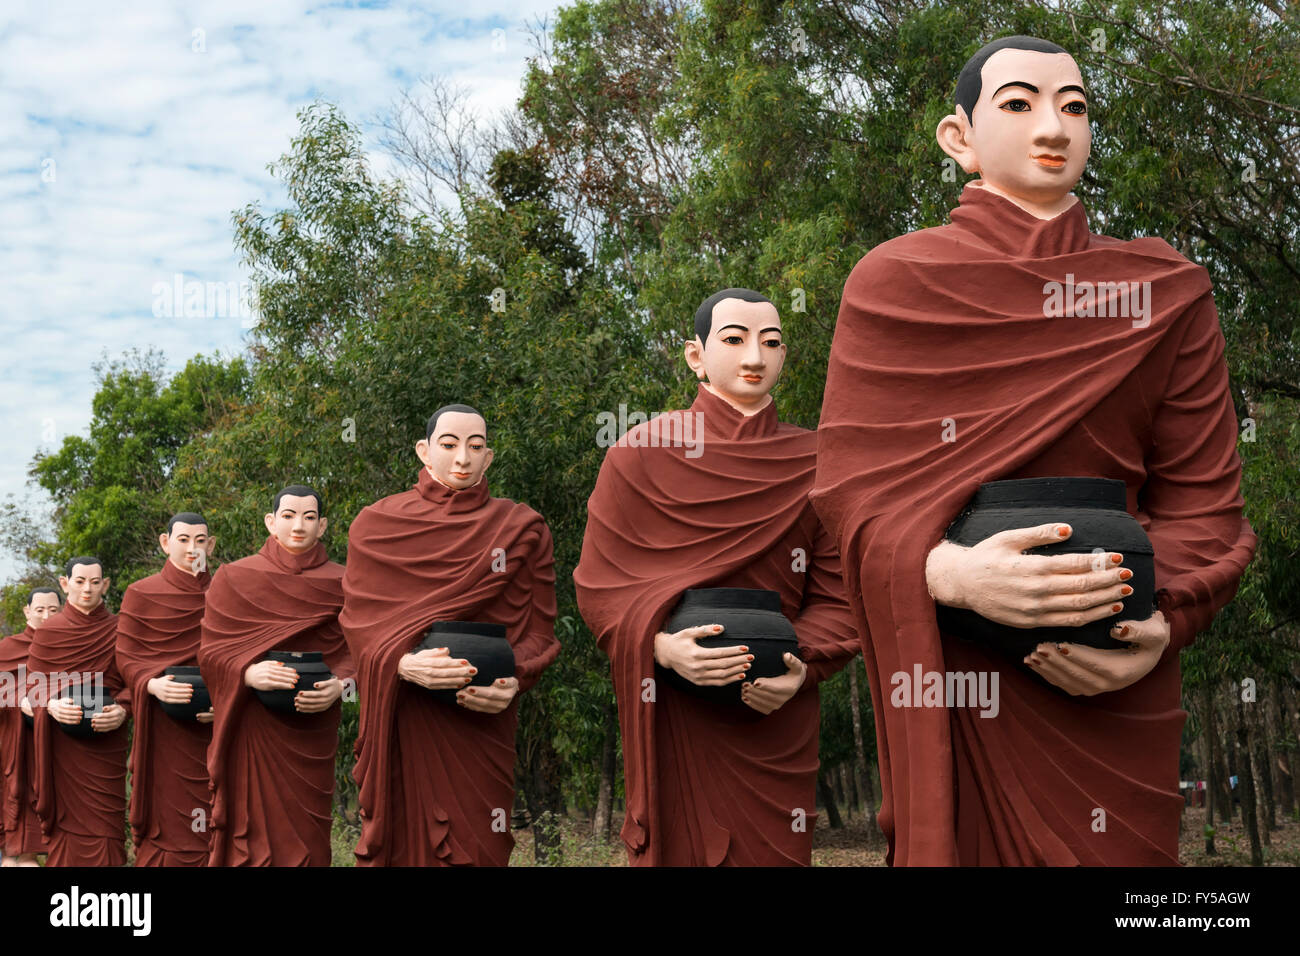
[[1082, 671]]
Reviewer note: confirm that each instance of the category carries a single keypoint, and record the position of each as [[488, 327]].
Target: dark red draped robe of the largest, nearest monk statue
[[951, 323]]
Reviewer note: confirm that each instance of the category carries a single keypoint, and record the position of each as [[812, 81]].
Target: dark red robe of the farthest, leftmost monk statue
[[20, 824]]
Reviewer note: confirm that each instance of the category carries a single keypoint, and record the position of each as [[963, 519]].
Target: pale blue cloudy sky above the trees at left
[[129, 133]]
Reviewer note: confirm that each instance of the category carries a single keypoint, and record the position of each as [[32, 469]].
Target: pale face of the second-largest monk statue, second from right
[[744, 354]]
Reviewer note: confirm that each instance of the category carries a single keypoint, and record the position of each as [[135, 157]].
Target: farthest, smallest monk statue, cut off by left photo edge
[[23, 840]]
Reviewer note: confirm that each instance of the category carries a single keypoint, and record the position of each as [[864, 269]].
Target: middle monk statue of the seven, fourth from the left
[[272, 772]]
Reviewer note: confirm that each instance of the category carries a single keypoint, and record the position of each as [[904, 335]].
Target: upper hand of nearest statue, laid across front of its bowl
[[999, 583]]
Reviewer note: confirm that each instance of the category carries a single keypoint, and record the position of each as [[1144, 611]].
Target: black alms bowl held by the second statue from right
[[751, 617]]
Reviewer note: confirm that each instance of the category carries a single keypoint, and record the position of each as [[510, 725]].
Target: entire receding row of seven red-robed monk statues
[[950, 371]]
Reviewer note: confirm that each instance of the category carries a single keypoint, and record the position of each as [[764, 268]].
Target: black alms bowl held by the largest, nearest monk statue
[[1095, 509]]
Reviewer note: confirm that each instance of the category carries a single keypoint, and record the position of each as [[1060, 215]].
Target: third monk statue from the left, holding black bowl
[[158, 629]]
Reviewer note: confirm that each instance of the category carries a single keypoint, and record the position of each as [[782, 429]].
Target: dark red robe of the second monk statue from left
[[80, 782]]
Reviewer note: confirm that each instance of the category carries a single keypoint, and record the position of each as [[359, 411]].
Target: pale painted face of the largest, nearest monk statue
[[1032, 136]]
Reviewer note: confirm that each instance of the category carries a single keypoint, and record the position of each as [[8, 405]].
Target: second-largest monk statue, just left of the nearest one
[[704, 499]]
